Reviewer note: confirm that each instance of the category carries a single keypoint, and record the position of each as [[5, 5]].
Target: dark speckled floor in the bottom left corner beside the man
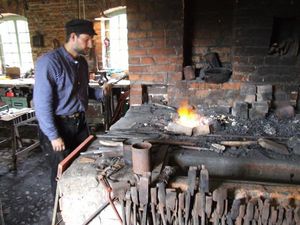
[[25, 194]]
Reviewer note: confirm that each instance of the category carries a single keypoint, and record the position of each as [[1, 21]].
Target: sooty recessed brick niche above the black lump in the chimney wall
[[211, 30]]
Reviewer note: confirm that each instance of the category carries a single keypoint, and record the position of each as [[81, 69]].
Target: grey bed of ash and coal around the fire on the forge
[[153, 118]]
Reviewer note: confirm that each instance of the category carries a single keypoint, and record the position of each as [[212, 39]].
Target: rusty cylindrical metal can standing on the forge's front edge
[[141, 157]]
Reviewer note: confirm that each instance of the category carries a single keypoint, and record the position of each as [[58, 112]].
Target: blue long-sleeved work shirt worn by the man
[[61, 88]]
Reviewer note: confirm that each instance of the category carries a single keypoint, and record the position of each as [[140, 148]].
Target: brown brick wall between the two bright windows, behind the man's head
[[49, 18]]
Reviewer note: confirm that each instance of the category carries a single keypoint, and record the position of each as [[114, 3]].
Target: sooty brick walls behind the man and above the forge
[[165, 35]]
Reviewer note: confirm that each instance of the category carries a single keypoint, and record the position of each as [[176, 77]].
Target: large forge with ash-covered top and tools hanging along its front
[[239, 169]]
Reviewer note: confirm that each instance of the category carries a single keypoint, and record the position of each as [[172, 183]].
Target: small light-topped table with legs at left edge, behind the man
[[13, 119]]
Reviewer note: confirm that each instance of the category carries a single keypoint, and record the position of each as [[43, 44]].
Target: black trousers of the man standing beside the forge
[[73, 131]]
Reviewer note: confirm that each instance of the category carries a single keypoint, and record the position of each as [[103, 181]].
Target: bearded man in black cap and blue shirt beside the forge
[[61, 94]]
